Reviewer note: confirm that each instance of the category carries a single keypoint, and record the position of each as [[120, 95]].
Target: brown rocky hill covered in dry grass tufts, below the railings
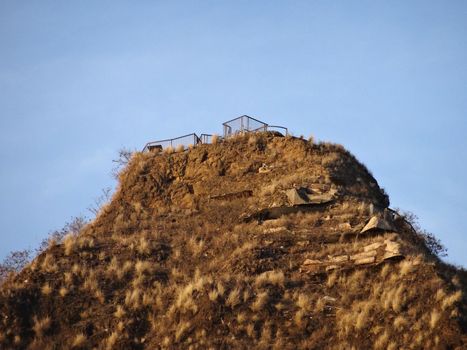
[[258, 241]]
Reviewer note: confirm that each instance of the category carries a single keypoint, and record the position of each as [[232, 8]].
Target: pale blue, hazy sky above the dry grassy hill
[[78, 80]]
